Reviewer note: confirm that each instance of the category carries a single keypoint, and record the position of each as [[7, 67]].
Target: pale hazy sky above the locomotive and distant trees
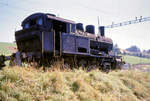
[[13, 12]]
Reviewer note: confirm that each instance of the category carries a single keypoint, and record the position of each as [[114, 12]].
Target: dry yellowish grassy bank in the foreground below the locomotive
[[27, 84]]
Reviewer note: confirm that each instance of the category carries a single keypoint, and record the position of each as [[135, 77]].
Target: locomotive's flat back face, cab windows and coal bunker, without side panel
[[29, 38]]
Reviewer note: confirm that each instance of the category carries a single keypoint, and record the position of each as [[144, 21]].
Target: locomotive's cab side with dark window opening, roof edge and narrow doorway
[[59, 26]]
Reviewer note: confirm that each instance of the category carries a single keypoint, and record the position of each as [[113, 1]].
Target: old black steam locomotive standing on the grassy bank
[[45, 38]]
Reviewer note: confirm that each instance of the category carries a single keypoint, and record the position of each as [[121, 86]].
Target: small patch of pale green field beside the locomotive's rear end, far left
[[4, 48]]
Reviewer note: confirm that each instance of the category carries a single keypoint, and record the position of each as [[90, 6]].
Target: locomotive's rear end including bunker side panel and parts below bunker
[[33, 36]]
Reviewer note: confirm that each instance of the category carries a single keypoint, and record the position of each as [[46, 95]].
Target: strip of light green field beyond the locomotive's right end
[[135, 60]]
